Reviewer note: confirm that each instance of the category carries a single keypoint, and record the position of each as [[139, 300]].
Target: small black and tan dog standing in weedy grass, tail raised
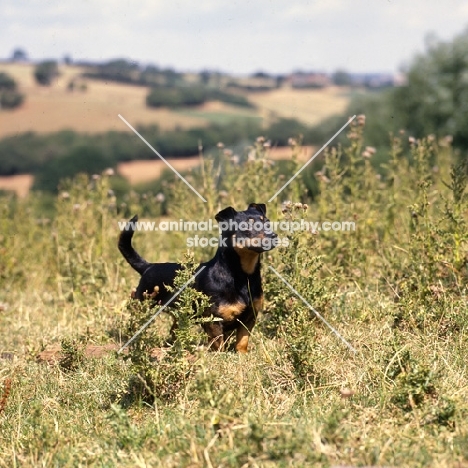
[[231, 279]]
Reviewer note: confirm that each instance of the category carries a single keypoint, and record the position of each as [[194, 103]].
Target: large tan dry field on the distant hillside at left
[[49, 109]]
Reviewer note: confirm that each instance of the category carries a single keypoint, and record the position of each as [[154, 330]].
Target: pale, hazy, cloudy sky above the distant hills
[[240, 37]]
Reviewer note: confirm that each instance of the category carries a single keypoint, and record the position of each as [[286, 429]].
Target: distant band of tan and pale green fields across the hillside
[[48, 109]]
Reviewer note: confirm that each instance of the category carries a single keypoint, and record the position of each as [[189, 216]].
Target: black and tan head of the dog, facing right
[[249, 229]]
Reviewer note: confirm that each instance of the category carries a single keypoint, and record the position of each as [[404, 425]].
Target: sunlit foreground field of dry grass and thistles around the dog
[[395, 289]]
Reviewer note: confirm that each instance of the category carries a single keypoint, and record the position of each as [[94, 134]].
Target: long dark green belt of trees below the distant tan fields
[[53, 154]]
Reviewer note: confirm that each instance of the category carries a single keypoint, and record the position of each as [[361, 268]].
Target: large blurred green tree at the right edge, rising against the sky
[[433, 100]]
